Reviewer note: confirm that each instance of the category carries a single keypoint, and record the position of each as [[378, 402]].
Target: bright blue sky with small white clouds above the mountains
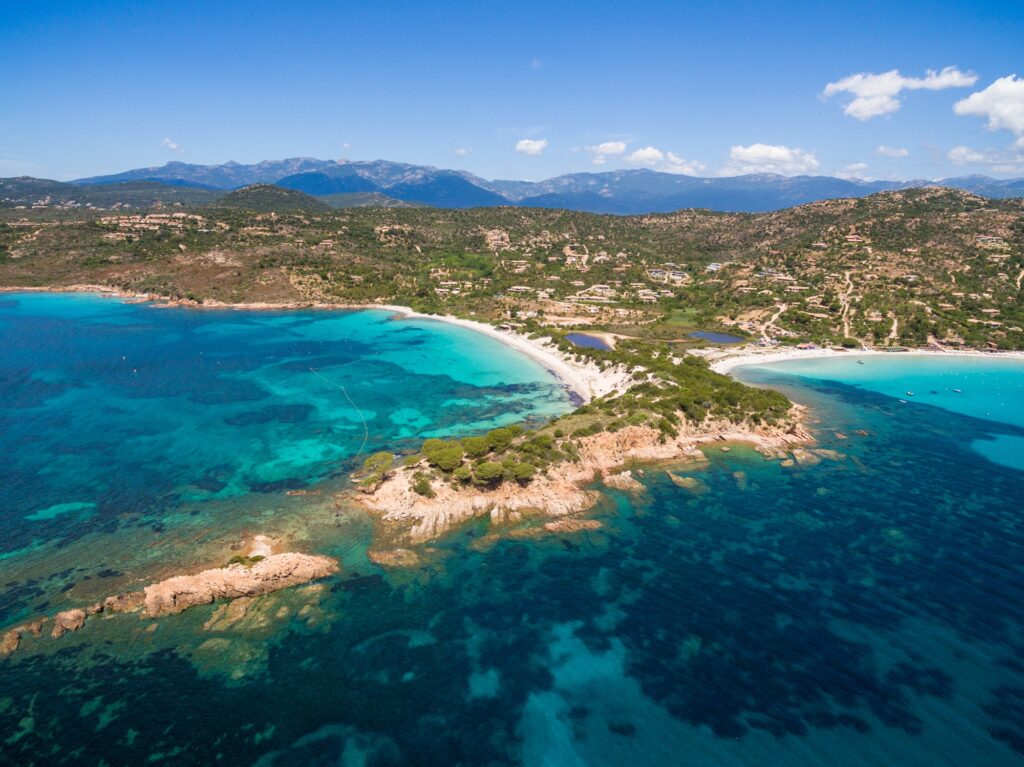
[[526, 91]]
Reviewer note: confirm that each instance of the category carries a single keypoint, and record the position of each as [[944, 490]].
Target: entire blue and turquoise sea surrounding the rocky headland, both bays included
[[864, 611]]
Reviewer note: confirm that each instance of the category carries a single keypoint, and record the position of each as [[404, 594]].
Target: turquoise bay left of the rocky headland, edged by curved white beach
[[116, 418]]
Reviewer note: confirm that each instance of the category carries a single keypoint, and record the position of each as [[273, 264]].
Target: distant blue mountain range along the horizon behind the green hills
[[619, 192]]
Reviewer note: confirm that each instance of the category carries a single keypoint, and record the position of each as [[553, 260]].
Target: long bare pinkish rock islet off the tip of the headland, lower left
[[275, 573]]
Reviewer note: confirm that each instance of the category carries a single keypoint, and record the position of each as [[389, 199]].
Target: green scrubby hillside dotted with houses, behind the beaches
[[897, 269]]
